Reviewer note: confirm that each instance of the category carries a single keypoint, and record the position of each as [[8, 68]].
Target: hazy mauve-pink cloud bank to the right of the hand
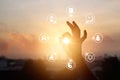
[[108, 46]]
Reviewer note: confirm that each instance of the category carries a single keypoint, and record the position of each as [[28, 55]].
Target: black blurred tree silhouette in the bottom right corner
[[110, 69]]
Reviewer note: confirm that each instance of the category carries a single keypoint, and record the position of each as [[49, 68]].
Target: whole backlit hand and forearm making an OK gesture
[[74, 51]]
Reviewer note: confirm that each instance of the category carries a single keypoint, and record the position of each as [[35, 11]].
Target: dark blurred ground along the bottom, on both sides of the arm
[[107, 68]]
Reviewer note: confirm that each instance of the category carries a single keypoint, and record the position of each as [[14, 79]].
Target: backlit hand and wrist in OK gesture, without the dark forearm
[[74, 49]]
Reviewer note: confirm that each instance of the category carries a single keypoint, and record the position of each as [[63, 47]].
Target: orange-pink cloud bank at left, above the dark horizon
[[20, 45]]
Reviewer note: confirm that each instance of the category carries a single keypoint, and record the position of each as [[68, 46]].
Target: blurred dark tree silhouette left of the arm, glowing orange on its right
[[35, 70]]
